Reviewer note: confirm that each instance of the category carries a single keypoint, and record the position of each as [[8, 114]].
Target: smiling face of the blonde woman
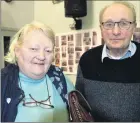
[[35, 55]]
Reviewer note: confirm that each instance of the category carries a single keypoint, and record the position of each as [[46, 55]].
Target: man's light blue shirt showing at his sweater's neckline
[[130, 52]]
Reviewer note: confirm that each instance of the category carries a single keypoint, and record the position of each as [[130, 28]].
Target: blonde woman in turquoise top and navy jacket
[[33, 90]]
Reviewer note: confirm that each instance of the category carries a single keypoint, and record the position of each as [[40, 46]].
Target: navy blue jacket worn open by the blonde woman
[[10, 90]]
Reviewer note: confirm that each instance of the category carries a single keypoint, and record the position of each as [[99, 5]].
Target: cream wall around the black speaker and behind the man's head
[[54, 16]]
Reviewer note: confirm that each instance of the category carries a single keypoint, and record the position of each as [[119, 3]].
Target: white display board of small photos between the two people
[[69, 47]]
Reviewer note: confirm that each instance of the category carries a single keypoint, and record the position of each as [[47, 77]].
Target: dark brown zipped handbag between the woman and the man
[[79, 108]]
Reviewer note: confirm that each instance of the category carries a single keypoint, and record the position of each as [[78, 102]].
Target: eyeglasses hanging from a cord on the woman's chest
[[31, 102]]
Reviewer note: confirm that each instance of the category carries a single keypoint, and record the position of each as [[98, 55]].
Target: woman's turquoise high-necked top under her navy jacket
[[38, 90]]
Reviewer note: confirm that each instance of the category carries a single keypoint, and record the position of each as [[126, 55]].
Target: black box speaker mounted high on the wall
[[75, 8]]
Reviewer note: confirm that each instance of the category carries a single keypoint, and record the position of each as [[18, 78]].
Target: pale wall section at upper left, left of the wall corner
[[17, 13]]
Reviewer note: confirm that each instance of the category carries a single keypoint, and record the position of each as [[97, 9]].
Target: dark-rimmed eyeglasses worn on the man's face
[[122, 24]]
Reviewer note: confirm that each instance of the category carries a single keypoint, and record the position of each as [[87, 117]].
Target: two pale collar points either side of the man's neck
[[131, 49]]
